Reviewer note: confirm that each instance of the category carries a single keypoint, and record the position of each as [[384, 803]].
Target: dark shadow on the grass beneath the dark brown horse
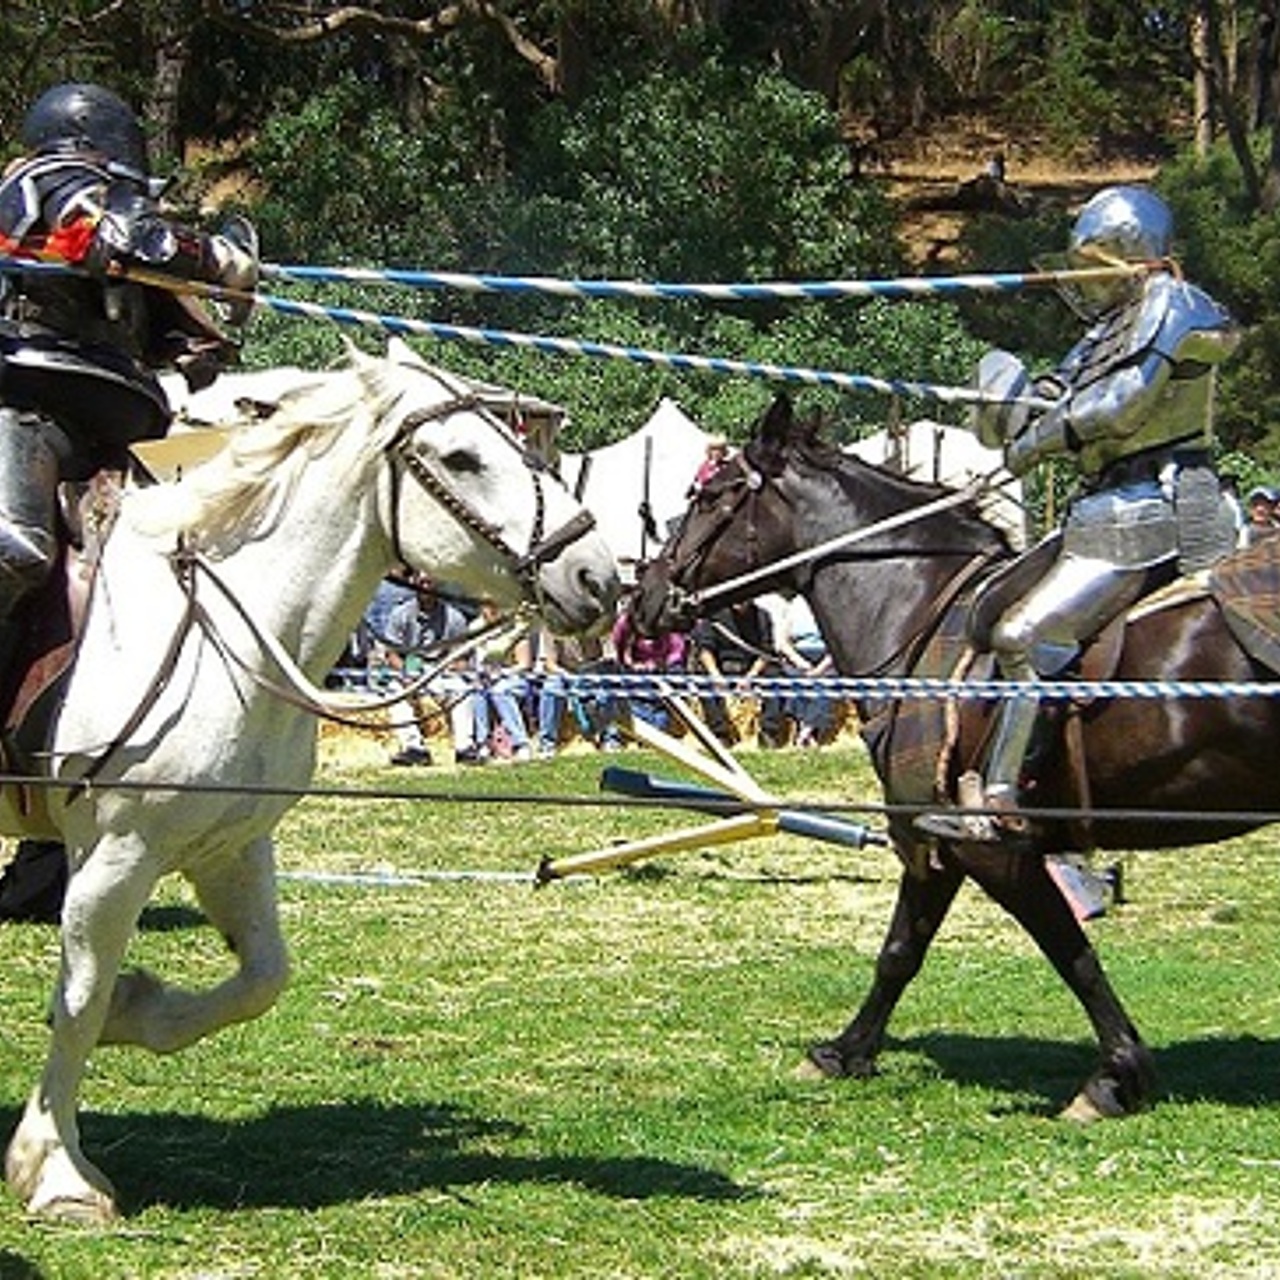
[[1238, 1071]]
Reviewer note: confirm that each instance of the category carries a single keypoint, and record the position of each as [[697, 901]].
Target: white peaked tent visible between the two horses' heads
[[655, 464]]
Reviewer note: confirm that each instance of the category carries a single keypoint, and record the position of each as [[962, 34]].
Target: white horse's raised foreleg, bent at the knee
[[239, 897]]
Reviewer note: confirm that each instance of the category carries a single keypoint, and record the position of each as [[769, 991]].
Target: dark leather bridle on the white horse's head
[[543, 548]]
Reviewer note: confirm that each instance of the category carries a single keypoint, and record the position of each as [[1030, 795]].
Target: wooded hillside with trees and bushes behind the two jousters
[[703, 140]]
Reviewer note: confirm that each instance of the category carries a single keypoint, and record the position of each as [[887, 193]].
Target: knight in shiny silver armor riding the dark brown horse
[[1132, 404]]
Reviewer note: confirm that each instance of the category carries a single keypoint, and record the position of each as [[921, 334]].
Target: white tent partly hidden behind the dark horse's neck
[[950, 456]]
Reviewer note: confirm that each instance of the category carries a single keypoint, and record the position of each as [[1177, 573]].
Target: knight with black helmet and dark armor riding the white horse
[[79, 351]]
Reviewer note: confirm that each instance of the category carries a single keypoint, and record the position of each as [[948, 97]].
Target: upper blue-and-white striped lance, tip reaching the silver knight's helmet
[[815, 291]]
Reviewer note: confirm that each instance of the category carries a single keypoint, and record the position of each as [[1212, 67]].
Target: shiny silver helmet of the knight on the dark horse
[[1119, 225]]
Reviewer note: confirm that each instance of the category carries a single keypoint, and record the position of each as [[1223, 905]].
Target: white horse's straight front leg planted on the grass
[[45, 1165]]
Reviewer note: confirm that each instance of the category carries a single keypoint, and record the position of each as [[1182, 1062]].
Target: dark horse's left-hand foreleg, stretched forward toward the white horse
[[922, 906]]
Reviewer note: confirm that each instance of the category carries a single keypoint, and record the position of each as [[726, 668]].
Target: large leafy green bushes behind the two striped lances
[[642, 181]]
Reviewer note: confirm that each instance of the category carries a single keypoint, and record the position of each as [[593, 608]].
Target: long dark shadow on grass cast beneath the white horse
[[312, 1156]]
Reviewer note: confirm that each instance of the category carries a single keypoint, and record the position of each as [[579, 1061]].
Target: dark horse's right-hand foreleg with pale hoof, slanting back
[[1021, 884]]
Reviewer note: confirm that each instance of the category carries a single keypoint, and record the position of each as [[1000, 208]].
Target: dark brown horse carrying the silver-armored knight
[[897, 605]]
